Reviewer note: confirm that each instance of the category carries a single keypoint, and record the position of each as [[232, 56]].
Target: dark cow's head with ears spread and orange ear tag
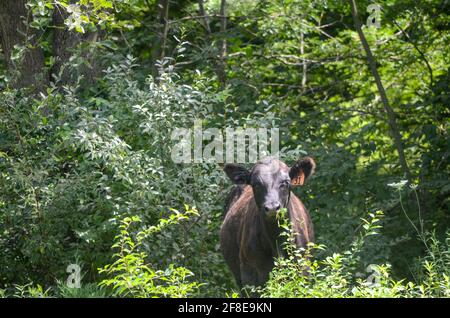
[[271, 180]]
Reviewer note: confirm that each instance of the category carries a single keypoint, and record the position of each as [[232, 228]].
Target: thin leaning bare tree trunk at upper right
[[389, 111]]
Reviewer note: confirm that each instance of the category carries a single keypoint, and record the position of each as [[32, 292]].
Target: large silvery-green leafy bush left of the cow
[[73, 166]]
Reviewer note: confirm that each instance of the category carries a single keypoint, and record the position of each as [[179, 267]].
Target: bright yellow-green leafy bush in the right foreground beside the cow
[[341, 274]]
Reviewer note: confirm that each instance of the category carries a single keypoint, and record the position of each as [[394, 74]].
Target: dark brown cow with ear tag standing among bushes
[[250, 235]]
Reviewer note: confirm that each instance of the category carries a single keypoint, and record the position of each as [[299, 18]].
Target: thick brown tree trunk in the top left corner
[[15, 30]]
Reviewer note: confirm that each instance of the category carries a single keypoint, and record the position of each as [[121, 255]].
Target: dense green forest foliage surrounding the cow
[[86, 175]]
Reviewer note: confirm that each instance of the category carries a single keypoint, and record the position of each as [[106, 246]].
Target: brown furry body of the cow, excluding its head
[[250, 241]]
